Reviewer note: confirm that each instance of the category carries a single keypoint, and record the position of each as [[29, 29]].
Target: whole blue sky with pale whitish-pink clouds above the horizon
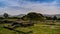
[[15, 7]]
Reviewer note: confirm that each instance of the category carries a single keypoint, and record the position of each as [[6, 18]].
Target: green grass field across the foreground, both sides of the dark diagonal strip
[[38, 28]]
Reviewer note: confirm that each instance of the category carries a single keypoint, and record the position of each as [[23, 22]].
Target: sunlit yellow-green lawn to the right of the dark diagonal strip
[[42, 29]]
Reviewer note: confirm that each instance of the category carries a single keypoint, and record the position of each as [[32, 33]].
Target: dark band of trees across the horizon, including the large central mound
[[31, 16]]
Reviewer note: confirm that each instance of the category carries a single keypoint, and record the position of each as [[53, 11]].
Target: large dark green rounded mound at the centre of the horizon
[[34, 16]]
